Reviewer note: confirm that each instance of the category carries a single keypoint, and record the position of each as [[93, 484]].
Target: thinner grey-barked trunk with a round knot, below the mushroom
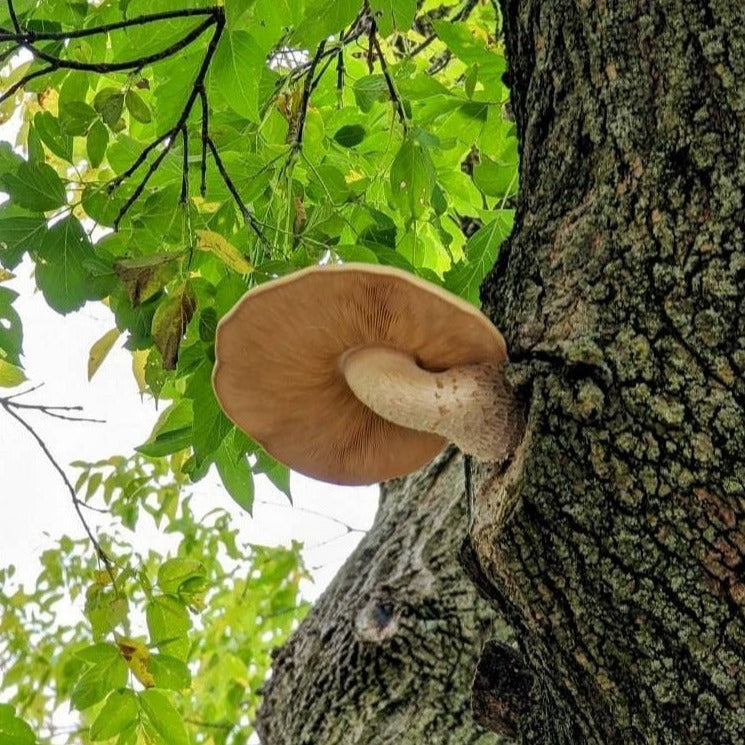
[[387, 654]]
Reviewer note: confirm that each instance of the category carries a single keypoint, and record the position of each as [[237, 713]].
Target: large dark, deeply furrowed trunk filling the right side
[[614, 540]]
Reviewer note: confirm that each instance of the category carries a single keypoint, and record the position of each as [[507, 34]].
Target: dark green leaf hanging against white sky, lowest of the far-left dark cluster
[[60, 273]]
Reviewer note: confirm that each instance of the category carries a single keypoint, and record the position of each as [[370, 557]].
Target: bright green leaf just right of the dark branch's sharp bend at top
[[234, 71]]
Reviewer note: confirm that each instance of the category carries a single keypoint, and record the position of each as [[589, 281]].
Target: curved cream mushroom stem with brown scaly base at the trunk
[[472, 405]]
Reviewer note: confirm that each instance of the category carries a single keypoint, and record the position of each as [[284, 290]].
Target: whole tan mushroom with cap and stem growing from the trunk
[[356, 373]]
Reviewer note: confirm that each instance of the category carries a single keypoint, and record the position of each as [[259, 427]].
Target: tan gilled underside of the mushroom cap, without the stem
[[277, 372]]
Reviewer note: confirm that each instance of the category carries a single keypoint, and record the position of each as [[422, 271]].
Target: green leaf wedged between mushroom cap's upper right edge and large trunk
[[466, 276]]
